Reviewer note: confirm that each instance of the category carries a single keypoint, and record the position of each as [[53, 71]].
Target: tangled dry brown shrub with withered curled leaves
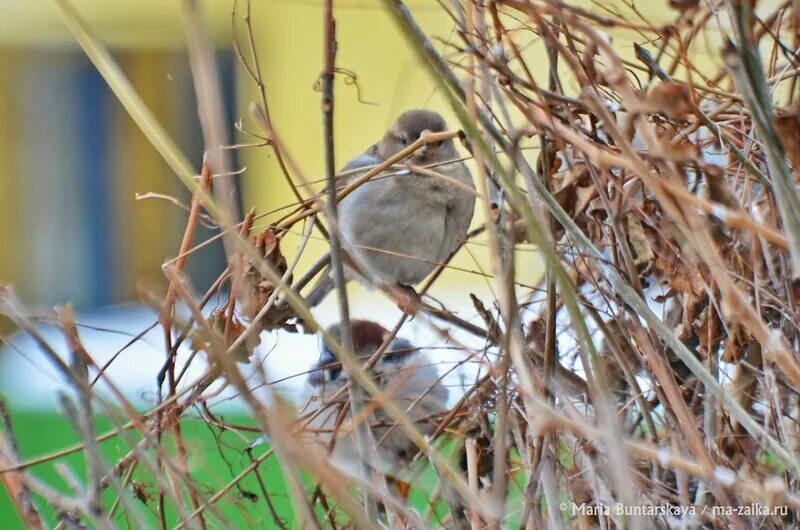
[[655, 368]]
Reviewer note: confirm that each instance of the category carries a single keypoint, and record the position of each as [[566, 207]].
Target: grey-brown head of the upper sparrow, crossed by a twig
[[408, 128]]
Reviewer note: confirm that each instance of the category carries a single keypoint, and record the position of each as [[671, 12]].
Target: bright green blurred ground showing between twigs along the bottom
[[214, 459]]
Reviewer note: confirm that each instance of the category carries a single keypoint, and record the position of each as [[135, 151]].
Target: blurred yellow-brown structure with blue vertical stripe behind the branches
[[71, 229]]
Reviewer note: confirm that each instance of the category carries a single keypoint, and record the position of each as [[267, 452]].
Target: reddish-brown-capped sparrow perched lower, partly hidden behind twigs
[[403, 372]]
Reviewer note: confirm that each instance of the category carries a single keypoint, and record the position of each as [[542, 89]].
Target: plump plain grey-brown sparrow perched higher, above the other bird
[[406, 223]]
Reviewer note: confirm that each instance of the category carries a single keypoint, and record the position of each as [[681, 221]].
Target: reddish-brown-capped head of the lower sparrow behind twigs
[[367, 338]]
